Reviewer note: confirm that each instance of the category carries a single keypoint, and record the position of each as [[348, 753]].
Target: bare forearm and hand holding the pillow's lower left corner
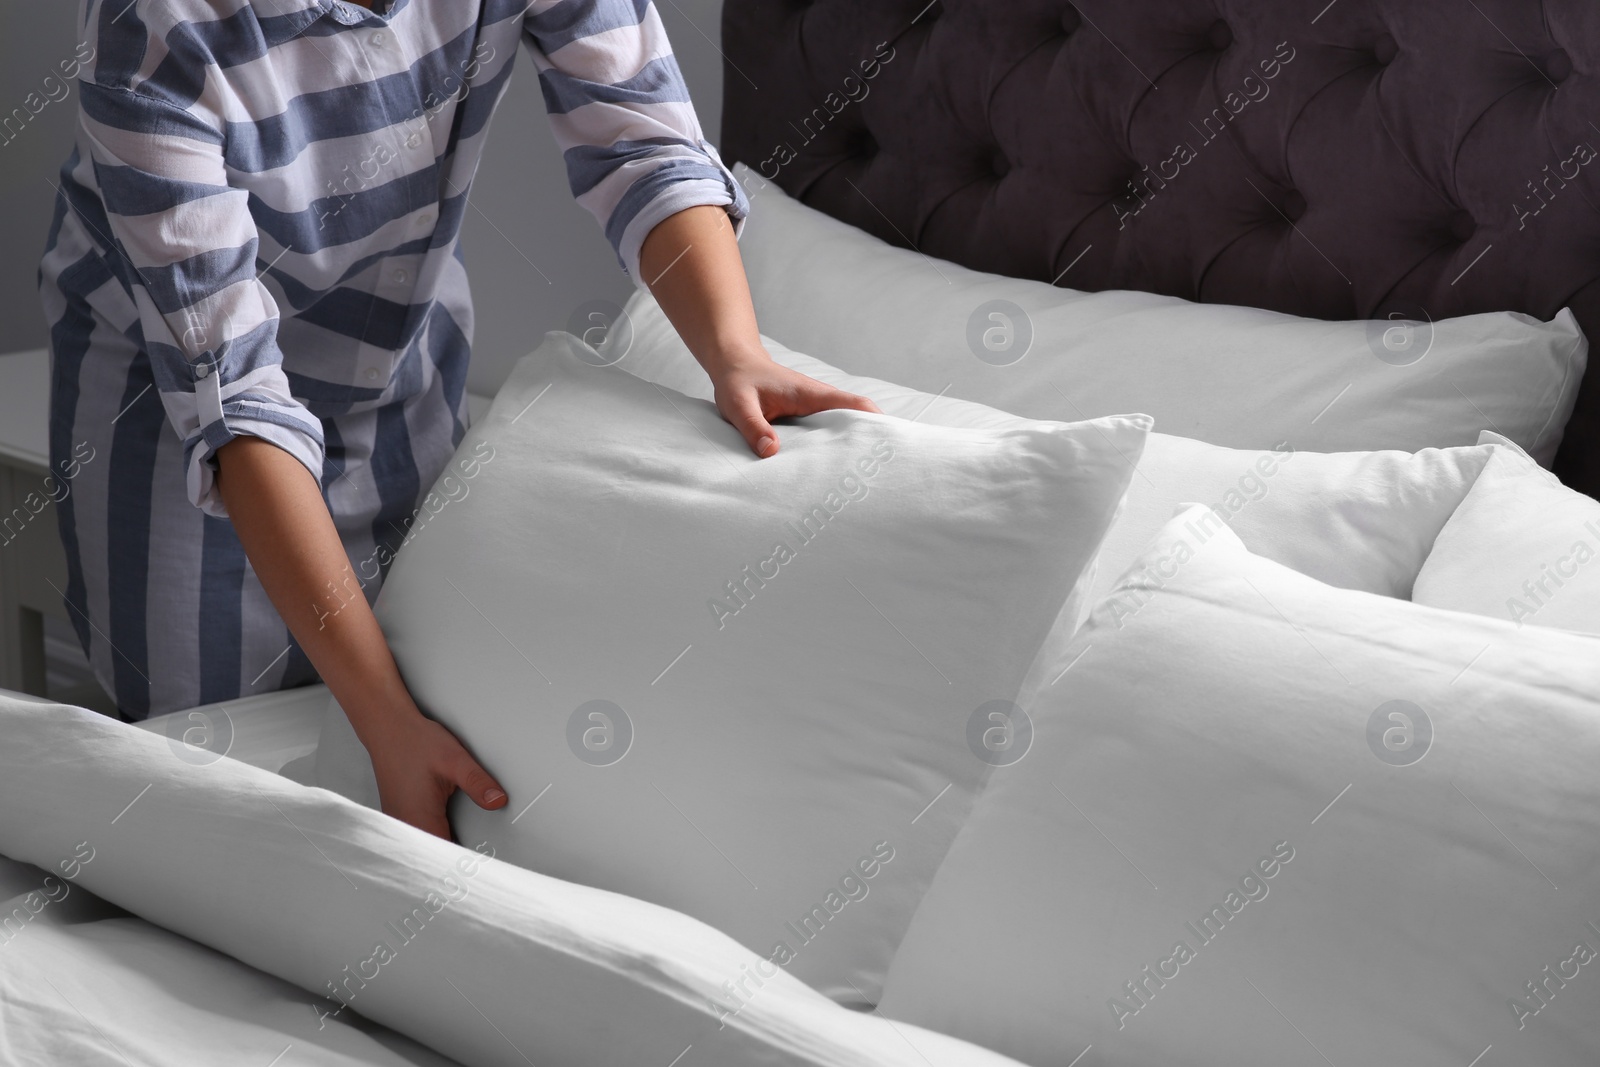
[[289, 535]]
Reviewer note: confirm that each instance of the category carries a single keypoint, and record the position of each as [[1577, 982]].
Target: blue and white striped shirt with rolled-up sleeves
[[257, 234]]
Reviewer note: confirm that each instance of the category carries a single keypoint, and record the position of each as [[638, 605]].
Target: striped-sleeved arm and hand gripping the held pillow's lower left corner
[[210, 330]]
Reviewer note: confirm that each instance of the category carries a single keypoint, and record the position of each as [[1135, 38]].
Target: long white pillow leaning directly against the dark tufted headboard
[[1233, 377]]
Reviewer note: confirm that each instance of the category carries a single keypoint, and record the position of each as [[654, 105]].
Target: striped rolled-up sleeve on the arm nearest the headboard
[[625, 122]]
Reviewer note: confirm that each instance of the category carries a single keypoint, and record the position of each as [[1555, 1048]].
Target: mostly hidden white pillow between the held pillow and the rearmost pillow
[[1358, 521]]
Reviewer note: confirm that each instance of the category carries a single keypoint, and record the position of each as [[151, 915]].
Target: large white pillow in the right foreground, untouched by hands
[[1378, 799]]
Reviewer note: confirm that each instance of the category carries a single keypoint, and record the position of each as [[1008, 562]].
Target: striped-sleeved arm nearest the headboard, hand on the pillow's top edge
[[639, 162]]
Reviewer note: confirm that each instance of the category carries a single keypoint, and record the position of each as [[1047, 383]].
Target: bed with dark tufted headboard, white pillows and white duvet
[[1198, 663]]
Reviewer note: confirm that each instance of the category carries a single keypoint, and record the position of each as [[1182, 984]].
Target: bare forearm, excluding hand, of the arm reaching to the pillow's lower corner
[[289, 535]]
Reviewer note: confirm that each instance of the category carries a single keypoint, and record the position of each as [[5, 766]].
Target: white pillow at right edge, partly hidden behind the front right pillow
[[1521, 546]]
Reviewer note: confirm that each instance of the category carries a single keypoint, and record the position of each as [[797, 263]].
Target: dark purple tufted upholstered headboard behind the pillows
[[1345, 161]]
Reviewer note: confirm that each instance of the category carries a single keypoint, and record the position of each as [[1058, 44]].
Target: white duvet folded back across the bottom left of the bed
[[319, 909]]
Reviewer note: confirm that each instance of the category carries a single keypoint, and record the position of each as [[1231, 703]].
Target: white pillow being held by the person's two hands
[[735, 687]]
